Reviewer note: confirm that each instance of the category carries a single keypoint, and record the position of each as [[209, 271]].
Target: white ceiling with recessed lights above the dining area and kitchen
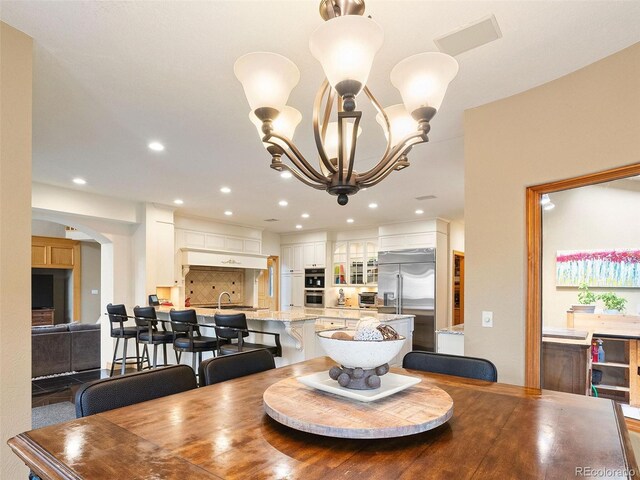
[[111, 76]]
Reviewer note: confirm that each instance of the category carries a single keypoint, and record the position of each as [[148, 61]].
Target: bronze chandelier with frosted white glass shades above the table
[[345, 45]]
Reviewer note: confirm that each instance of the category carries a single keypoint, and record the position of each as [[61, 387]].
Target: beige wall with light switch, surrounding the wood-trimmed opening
[[584, 122]]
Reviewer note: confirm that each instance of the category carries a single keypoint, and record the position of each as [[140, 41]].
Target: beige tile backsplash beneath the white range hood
[[205, 284]]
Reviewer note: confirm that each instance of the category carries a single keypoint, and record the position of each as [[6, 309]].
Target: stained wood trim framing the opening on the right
[[533, 321]]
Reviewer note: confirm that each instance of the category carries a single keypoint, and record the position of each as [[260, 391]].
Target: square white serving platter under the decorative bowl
[[389, 384]]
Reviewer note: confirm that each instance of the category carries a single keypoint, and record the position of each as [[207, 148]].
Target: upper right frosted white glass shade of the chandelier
[[423, 79]]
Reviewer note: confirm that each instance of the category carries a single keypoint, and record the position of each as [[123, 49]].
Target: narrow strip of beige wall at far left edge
[[15, 243]]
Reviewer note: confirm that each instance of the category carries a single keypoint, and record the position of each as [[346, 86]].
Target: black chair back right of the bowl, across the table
[[469, 367]]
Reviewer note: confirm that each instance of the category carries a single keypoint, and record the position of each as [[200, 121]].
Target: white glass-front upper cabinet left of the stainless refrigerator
[[355, 263]]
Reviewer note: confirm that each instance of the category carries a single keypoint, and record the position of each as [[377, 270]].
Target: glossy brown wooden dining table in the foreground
[[497, 431]]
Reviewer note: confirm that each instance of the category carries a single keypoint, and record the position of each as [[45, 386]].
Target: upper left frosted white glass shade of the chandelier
[[267, 79]]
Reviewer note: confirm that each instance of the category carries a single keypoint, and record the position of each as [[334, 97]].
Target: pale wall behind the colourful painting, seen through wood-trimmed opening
[[597, 217]]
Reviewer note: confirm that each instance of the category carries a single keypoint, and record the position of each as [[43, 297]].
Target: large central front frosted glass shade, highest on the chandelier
[[345, 47]]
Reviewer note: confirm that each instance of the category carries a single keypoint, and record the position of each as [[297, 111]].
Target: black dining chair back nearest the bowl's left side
[[220, 369]]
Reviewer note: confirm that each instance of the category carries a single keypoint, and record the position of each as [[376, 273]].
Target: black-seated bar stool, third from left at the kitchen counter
[[187, 336]]
